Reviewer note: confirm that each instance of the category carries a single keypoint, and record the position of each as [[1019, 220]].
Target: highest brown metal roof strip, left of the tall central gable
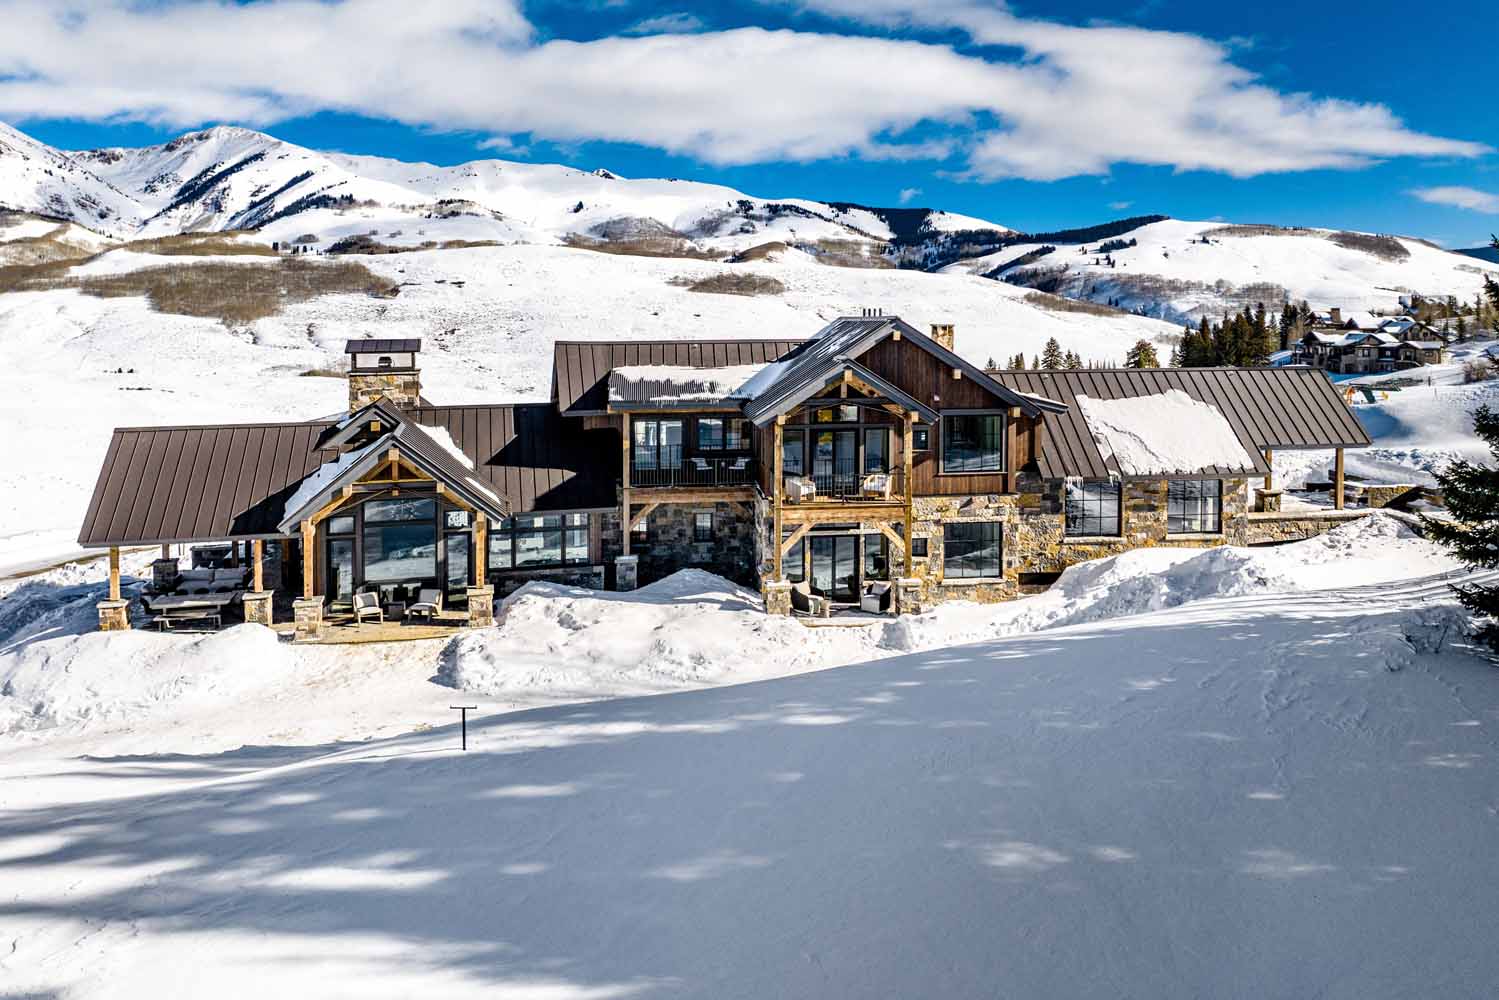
[[581, 368]]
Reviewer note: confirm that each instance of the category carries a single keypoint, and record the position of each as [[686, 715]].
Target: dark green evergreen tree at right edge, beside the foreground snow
[[1473, 497]]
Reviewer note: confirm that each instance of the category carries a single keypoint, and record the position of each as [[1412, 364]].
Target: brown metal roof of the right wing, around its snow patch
[[1285, 409]]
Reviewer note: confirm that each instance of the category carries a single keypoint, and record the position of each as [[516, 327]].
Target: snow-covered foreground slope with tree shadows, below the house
[[1236, 773]]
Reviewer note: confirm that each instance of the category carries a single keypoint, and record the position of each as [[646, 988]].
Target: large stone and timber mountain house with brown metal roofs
[[867, 467]]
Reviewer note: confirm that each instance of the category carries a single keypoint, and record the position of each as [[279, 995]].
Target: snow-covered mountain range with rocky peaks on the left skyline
[[238, 179]]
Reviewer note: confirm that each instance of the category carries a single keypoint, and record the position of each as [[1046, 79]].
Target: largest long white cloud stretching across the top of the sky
[[1077, 100]]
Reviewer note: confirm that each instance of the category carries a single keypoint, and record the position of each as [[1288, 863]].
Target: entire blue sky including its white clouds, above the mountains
[[1029, 115]]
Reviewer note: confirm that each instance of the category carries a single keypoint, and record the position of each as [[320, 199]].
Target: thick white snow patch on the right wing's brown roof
[[1164, 434]]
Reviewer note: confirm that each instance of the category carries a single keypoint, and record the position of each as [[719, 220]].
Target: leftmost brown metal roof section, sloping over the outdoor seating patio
[[199, 484]]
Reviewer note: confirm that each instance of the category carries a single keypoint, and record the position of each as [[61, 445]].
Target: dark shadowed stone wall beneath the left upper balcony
[[672, 545]]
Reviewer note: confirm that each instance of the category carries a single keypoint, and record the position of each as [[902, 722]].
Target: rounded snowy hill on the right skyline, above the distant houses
[[1185, 271]]
